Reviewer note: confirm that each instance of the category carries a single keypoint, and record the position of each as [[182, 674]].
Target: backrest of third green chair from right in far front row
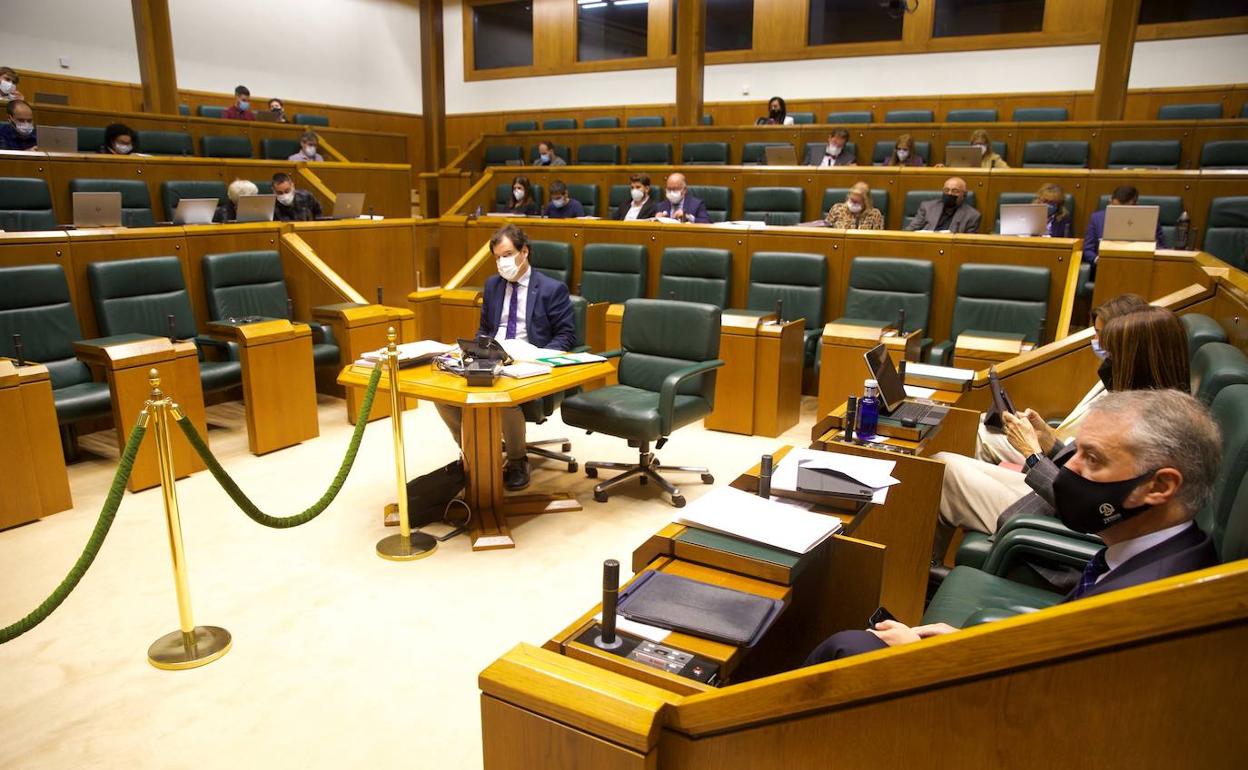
[[798, 279]]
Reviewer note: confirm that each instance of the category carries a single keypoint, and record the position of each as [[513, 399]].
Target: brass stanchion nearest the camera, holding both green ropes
[[192, 646]]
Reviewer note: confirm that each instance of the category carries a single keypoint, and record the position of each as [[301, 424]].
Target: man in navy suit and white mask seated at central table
[[519, 304]]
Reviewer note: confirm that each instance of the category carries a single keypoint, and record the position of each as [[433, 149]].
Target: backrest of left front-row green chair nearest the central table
[[245, 284]]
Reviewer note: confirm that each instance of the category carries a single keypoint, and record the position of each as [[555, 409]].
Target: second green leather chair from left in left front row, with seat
[[138, 298]]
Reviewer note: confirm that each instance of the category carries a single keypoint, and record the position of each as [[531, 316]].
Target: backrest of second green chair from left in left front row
[[138, 296]]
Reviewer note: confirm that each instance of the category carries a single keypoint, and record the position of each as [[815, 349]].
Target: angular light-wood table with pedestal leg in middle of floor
[[482, 437]]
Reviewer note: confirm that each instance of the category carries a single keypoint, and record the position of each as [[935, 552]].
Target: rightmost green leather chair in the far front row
[[997, 300]]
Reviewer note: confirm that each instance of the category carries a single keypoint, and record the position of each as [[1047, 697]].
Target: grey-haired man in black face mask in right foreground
[[1145, 464]]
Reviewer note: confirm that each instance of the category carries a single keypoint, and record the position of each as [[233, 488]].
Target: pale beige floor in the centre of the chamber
[[340, 660]]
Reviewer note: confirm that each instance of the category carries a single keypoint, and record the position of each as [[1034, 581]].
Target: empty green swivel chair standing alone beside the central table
[[667, 380]]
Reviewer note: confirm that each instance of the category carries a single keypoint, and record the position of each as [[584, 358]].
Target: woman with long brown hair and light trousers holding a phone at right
[[1144, 349]]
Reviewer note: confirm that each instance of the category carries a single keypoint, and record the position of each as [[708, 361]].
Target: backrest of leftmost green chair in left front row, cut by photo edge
[[36, 304]]
